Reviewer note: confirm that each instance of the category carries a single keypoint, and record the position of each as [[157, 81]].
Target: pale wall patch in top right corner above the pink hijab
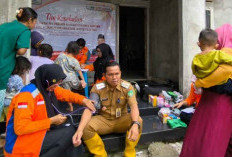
[[222, 12]]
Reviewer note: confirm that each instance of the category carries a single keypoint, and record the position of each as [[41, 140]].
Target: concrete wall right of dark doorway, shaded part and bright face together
[[174, 30]]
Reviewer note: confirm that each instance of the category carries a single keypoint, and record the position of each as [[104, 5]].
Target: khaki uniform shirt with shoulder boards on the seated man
[[111, 99]]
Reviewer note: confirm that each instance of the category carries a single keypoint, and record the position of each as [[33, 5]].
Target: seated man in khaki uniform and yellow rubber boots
[[113, 95]]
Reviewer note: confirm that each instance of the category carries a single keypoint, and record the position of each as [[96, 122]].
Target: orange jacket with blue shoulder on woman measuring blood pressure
[[27, 120]]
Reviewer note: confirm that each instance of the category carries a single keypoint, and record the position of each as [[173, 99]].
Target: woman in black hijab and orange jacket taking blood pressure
[[34, 127]]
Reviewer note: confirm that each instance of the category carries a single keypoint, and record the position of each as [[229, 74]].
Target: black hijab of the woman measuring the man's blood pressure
[[45, 76]]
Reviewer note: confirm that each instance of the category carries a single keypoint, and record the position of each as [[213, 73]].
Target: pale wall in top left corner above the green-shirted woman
[[8, 9]]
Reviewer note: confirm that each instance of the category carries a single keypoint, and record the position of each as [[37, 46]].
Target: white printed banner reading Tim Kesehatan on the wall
[[61, 21]]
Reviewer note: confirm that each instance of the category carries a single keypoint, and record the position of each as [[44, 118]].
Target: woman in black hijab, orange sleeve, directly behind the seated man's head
[[105, 55]]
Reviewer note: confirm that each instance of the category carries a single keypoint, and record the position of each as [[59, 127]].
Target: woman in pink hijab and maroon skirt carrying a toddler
[[210, 131]]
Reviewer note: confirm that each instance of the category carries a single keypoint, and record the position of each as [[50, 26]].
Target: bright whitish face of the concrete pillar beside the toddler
[[193, 21]]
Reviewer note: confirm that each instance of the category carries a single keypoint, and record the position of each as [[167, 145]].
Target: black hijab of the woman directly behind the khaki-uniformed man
[[100, 63]]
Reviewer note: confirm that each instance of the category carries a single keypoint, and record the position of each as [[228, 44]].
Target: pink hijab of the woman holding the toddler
[[224, 36]]
